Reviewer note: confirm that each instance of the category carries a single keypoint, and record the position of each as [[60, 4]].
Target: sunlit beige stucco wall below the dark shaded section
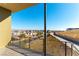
[[5, 32]]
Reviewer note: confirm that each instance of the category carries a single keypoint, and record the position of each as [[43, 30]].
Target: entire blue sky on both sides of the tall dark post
[[59, 17]]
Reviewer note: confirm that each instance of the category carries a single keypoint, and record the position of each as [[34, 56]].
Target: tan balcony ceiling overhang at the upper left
[[14, 7]]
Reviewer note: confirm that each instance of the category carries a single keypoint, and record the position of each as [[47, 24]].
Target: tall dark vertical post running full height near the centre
[[44, 41]]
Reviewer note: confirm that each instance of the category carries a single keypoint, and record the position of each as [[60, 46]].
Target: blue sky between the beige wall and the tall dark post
[[29, 18]]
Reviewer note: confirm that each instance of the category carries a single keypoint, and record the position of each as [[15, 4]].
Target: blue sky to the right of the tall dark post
[[62, 16]]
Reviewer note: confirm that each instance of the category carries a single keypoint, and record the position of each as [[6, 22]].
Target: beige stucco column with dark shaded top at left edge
[[5, 26]]
